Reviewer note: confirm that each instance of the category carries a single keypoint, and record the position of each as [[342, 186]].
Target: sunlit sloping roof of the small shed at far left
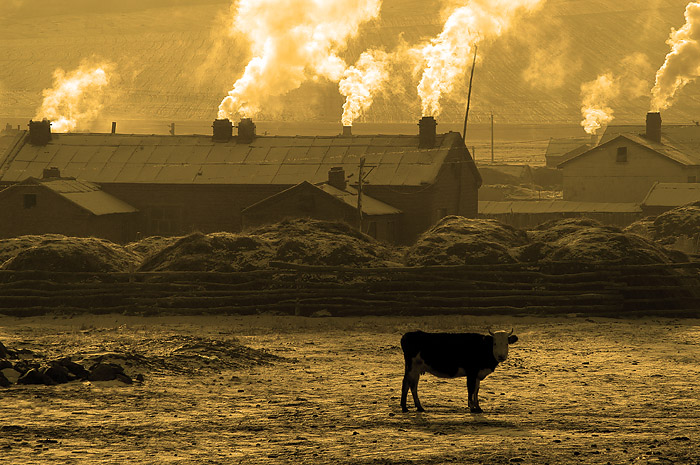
[[84, 194]]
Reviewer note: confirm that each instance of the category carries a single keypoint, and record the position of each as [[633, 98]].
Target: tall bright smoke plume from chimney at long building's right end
[[446, 57]]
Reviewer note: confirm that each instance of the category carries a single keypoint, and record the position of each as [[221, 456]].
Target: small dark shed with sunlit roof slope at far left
[[66, 206]]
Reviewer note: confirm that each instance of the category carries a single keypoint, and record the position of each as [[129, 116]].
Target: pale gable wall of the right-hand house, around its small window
[[598, 177]]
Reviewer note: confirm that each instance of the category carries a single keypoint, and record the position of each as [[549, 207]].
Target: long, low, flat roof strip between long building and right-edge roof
[[554, 206]]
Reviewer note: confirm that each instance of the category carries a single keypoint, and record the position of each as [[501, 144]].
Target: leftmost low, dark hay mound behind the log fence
[[77, 254]]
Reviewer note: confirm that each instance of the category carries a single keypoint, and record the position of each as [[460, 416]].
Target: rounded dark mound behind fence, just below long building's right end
[[456, 240]]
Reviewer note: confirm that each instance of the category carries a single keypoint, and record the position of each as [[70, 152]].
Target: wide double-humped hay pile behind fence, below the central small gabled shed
[[302, 241]]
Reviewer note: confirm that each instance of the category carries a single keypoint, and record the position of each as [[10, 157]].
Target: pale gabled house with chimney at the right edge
[[625, 166]]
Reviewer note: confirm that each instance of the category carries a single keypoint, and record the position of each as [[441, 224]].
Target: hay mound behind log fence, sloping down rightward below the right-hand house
[[587, 240]]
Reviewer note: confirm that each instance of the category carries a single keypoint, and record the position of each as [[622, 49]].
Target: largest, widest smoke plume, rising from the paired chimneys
[[292, 41]]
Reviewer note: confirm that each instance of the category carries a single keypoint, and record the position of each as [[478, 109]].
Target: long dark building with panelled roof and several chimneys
[[181, 184]]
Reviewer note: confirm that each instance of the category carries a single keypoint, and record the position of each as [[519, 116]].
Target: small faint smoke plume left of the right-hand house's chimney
[[597, 95]]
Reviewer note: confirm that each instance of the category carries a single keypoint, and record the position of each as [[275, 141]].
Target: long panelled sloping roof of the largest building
[[196, 159]]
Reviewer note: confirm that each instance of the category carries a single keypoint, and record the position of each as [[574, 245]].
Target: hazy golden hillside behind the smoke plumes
[[172, 64]]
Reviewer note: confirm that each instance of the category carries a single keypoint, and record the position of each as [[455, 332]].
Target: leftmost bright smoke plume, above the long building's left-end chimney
[[76, 97]]
